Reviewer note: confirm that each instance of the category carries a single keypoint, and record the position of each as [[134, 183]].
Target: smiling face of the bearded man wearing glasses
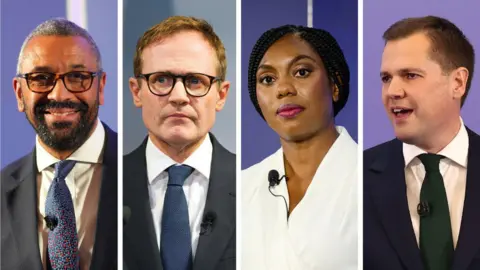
[[62, 119]]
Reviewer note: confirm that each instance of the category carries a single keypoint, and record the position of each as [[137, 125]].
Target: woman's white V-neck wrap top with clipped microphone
[[321, 232]]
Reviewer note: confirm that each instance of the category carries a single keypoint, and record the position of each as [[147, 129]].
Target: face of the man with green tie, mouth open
[[421, 100]]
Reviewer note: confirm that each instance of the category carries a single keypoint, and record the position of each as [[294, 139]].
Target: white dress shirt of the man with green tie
[[454, 172]]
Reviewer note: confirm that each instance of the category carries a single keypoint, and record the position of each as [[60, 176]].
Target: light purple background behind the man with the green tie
[[378, 16]]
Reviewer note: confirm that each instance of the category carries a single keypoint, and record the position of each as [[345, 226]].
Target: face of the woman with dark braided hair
[[294, 91]]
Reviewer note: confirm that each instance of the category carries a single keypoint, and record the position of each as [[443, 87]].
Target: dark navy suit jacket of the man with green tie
[[389, 240]]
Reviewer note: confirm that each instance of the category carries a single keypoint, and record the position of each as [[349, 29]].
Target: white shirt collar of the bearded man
[[89, 152]]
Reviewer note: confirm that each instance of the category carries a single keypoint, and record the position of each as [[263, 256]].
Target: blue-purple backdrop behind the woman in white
[[338, 17]]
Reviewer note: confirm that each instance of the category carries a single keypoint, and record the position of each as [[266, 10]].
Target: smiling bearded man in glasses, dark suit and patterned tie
[[58, 203]]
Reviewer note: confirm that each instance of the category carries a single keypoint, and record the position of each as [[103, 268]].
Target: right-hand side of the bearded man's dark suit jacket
[[105, 247]]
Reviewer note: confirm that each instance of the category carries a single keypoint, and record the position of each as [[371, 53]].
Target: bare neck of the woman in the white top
[[303, 158]]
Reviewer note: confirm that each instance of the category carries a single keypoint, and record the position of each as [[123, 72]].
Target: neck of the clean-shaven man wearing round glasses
[[178, 152]]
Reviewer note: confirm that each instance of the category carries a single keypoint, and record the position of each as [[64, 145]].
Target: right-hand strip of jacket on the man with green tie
[[469, 237]]
